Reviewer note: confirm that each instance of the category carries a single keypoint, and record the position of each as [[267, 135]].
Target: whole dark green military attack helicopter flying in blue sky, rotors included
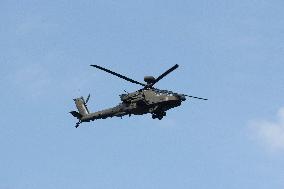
[[146, 100]]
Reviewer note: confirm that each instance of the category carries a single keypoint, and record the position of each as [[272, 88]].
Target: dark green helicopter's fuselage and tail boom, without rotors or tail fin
[[156, 102]]
